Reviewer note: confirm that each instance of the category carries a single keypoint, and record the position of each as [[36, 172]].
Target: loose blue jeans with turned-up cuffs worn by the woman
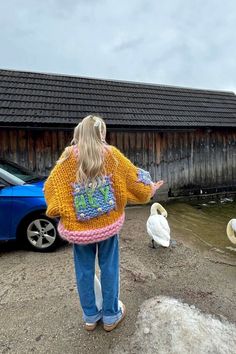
[[108, 260]]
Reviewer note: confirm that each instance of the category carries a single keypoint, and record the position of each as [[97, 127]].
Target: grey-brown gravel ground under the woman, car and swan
[[39, 306]]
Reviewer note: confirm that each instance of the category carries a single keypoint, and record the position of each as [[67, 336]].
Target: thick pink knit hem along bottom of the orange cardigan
[[91, 236]]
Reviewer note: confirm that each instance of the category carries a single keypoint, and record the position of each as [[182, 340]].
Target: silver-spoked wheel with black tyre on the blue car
[[40, 233]]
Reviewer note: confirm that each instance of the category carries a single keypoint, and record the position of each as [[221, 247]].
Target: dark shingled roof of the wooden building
[[28, 98]]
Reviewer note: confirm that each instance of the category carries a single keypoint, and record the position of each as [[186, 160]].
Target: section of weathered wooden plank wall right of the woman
[[183, 159]]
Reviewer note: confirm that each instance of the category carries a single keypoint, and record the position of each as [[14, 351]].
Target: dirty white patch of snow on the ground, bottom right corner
[[168, 326]]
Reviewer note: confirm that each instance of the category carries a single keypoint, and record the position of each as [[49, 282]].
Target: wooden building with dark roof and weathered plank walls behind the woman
[[185, 136]]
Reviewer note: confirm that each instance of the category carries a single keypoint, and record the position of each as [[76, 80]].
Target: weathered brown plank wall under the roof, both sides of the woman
[[183, 159]]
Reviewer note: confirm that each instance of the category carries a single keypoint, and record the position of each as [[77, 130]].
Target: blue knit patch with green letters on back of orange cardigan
[[91, 202]]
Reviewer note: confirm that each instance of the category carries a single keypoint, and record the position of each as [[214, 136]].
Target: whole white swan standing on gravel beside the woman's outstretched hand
[[157, 226]]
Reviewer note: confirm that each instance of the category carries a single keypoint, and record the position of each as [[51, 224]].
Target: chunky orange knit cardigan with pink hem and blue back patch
[[88, 215]]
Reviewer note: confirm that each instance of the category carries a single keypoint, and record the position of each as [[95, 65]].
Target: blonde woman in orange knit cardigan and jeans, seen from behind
[[88, 190]]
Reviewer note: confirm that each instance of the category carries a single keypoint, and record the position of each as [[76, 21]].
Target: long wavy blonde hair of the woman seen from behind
[[89, 136]]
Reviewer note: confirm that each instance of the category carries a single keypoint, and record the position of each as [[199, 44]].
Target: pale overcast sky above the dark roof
[[176, 42]]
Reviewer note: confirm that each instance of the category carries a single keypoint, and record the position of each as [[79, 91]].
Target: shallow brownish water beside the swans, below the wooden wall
[[205, 222]]
